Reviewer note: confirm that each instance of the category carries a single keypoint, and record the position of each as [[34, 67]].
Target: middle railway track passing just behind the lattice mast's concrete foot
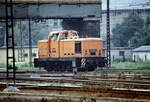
[[84, 81]]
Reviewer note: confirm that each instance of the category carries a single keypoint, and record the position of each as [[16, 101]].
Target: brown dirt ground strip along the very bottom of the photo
[[41, 95]]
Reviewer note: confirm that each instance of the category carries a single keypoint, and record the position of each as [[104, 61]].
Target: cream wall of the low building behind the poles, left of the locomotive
[[25, 55]]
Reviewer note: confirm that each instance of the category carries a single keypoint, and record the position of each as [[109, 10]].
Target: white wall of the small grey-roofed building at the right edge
[[141, 56]]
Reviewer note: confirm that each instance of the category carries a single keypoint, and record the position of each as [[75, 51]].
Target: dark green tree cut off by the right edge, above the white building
[[142, 37]]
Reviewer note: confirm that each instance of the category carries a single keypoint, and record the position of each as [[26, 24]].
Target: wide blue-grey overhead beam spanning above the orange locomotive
[[50, 10]]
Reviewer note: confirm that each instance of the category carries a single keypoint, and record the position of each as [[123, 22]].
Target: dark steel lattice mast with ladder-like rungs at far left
[[10, 42]]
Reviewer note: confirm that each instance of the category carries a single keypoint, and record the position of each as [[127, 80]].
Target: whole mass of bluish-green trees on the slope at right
[[133, 31]]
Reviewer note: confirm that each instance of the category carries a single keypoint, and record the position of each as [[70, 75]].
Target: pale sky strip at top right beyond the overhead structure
[[126, 4]]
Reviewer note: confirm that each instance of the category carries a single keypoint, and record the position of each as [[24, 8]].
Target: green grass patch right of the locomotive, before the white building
[[142, 68]]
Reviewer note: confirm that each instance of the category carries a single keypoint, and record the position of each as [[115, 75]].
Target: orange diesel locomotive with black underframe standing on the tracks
[[64, 51]]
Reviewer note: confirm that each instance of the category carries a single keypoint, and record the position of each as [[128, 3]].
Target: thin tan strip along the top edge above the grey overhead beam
[[55, 1]]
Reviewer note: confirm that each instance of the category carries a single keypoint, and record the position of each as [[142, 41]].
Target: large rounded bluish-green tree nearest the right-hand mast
[[123, 32]]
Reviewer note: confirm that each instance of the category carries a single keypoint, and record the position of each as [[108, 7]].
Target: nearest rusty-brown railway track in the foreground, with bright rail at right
[[80, 92]]
